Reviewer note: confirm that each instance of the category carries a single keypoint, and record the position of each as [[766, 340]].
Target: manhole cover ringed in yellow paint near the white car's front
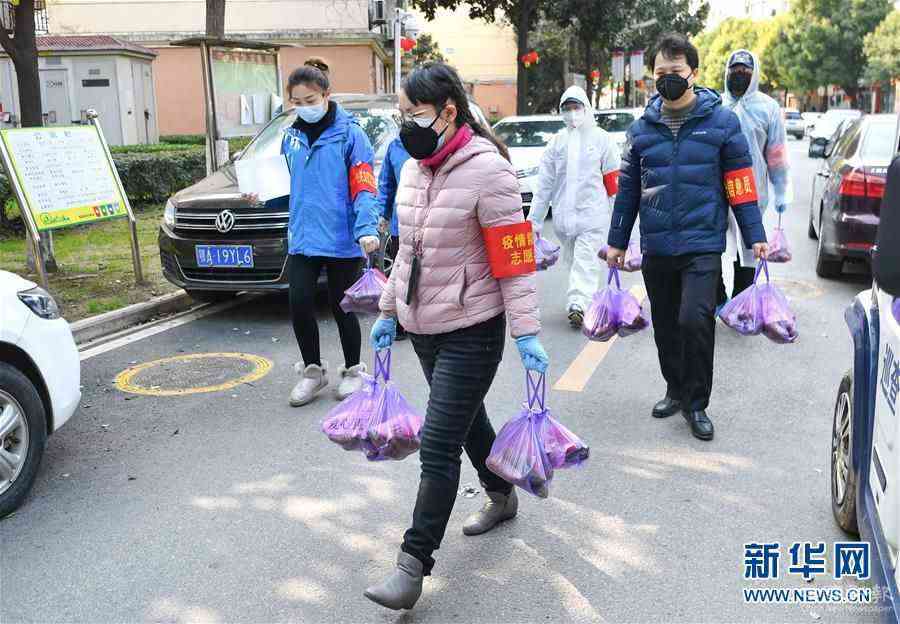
[[193, 374]]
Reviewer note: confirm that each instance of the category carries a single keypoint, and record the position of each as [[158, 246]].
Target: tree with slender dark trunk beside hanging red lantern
[[522, 14]]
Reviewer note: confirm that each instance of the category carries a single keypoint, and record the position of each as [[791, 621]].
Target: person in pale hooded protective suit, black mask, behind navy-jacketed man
[[762, 124]]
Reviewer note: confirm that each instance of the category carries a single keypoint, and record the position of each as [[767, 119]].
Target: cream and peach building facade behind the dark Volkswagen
[[343, 33]]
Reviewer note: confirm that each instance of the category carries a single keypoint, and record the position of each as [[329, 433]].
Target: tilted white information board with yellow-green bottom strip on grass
[[65, 175]]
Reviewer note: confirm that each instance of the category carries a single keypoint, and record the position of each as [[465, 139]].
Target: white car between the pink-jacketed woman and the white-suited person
[[526, 138]]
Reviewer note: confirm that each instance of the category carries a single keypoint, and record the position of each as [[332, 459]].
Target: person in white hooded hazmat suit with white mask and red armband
[[578, 175]]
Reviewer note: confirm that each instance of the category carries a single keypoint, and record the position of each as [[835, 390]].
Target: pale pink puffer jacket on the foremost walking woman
[[475, 188]]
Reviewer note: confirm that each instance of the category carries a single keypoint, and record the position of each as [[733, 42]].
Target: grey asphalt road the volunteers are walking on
[[230, 506]]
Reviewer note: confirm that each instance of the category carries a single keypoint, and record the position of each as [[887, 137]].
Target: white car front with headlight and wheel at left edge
[[40, 383]]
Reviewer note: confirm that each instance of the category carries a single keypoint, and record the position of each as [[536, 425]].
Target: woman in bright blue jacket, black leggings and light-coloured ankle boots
[[333, 223]]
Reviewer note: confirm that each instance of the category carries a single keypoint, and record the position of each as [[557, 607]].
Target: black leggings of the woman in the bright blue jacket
[[304, 274]]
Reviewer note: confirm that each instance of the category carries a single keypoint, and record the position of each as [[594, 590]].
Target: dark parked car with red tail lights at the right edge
[[847, 192]]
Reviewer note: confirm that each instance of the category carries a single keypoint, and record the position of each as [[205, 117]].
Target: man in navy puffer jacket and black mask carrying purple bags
[[685, 162]]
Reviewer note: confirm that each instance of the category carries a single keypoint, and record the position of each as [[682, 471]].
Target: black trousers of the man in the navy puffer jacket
[[682, 291]]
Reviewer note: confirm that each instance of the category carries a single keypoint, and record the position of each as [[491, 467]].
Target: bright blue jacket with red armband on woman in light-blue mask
[[326, 219]]
